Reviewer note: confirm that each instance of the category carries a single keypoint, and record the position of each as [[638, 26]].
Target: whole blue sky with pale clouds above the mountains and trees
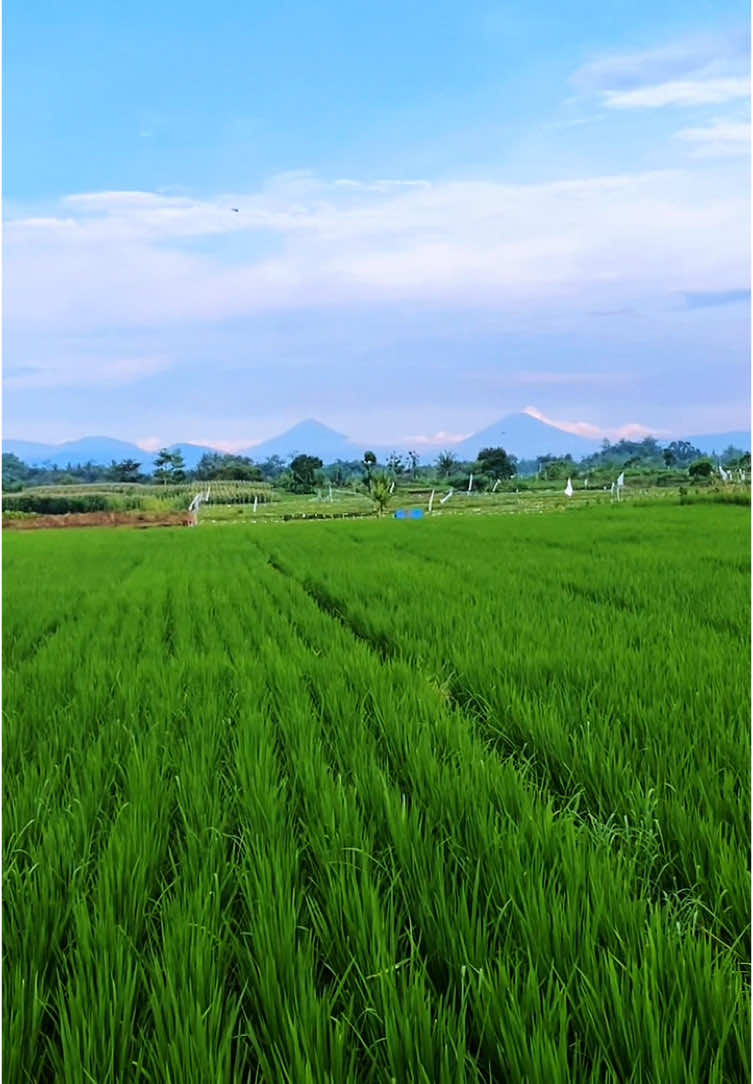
[[445, 213]]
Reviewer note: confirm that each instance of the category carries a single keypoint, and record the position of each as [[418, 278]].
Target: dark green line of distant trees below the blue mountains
[[303, 473]]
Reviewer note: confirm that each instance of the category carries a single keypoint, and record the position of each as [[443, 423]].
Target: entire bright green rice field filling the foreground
[[462, 799]]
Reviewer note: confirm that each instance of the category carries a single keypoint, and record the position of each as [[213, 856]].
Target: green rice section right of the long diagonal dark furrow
[[614, 663]]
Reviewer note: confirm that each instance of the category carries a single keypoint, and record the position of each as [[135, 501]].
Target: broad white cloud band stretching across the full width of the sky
[[113, 261]]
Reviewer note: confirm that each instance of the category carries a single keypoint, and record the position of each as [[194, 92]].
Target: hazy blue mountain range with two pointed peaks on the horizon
[[522, 435]]
